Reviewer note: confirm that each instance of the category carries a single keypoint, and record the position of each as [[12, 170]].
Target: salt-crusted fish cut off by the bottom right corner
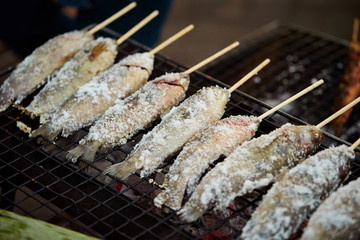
[[338, 217]]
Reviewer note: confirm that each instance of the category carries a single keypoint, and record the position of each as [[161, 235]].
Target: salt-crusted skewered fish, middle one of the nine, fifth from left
[[176, 128]]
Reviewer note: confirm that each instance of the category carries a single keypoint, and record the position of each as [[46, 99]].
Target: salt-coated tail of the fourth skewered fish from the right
[[170, 197]]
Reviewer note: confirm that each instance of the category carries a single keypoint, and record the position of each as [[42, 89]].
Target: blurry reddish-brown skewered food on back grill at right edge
[[349, 86]]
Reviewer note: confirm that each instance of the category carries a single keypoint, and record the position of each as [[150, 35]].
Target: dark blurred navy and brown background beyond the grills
[[27, 24]]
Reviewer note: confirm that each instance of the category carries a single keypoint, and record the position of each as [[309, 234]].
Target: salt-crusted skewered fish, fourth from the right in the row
[[219, 139]]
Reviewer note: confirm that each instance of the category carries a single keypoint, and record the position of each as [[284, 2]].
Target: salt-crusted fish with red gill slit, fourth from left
[[120, 122]]
